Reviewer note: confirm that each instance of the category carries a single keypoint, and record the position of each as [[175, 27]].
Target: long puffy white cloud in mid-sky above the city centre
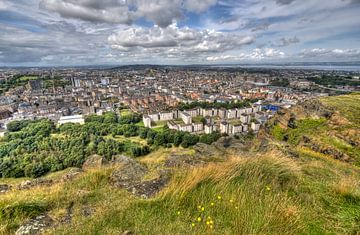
[[182, 39]]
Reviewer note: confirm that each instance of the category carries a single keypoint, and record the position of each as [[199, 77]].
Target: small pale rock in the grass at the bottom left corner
[[35, 226]]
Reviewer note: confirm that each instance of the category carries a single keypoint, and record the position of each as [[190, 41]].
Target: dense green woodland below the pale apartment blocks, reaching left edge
[[34, 148]]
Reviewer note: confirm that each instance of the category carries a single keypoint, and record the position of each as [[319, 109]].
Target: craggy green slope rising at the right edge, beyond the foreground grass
[[334, 132]]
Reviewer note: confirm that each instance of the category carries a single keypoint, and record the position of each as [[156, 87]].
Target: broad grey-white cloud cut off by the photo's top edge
[[161, 12]]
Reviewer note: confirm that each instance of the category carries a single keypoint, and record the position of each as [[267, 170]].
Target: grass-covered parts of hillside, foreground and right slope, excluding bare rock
[[287, 188]]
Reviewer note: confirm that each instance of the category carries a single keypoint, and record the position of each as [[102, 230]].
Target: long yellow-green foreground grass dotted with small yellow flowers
[[261, 195]]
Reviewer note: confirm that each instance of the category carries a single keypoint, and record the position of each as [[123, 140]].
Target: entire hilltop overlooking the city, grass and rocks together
[[300, 175]]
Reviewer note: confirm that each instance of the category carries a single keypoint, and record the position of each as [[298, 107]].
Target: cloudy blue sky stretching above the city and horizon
[[116, 32]]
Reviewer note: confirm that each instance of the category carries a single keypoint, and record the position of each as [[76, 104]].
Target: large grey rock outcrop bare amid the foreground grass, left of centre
[[129, 176]]
